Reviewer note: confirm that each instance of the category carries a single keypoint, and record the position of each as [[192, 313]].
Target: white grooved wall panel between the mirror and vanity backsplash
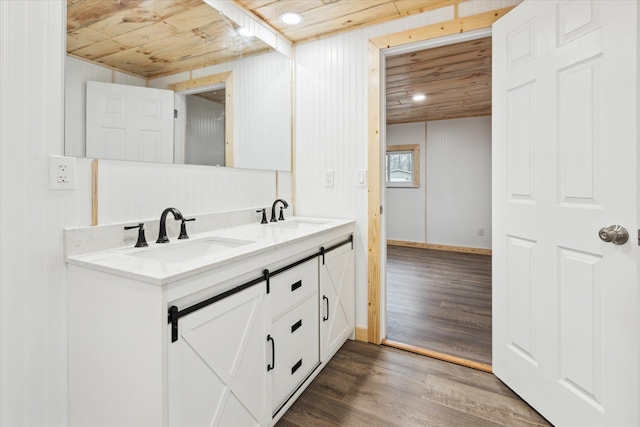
[[134, 191]]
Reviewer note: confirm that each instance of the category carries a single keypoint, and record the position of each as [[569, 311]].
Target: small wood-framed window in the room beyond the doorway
[[403, 166]]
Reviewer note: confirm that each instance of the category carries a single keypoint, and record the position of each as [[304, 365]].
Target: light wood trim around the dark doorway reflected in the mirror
[[203, 83]]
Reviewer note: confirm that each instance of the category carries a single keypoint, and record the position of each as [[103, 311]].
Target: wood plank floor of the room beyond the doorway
[[440, 301]]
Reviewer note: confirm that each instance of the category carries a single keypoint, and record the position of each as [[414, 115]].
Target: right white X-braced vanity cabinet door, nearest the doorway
[[337, 299]]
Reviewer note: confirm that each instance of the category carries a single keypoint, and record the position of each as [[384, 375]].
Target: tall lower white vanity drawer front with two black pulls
[[297, 349]]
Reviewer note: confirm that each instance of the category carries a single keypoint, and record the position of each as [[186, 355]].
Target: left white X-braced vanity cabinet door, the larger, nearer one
[[218, 367]]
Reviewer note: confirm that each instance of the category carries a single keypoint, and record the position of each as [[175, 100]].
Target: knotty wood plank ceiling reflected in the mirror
[[152, 38]]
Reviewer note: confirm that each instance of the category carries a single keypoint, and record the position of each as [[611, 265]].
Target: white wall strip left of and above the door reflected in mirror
[[77, 73]]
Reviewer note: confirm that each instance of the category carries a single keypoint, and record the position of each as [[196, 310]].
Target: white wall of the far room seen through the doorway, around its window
[[454, 200]]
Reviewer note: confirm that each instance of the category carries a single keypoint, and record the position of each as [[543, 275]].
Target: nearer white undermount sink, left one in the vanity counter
[[186, 251]]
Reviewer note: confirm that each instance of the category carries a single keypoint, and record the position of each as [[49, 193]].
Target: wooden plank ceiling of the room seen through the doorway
[[456, 80]]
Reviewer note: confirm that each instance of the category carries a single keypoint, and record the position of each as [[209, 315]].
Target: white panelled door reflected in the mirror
[[129, 122]]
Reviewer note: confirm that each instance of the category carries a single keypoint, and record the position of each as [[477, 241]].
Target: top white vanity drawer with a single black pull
[[289, 288]]
